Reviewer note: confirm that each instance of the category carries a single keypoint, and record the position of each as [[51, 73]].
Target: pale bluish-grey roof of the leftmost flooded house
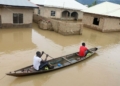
[[24, 3]]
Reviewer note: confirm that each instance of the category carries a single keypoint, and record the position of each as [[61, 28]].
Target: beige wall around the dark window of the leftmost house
[[7, 14]]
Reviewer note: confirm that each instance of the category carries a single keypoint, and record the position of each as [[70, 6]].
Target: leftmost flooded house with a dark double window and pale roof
[[16, 13]]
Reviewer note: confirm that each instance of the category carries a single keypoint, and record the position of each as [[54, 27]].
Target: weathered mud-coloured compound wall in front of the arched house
[[62, 27]]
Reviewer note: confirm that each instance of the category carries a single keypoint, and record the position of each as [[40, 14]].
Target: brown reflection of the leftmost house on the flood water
[[16, 39]]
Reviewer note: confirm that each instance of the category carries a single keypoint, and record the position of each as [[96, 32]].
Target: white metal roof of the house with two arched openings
[[68, 4]]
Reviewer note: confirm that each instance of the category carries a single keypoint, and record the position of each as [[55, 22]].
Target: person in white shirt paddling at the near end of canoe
[[38, 63]]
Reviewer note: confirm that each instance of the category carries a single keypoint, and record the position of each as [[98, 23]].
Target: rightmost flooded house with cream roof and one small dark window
[[104, 17]]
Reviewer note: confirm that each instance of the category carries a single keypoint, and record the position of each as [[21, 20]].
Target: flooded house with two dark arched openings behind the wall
[[59, 9]]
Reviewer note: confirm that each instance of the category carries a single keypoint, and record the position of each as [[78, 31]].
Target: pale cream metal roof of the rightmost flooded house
[[105, 8]]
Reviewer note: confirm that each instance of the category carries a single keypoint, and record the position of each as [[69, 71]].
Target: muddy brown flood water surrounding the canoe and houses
[[18, 46]]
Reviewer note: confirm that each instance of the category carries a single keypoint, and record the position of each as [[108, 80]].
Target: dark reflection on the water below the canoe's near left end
[[36, 80]]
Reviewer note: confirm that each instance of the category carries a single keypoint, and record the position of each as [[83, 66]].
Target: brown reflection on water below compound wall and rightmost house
[[89, 36]]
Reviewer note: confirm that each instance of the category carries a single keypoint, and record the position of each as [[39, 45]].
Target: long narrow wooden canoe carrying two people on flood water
[[58, 63]]
